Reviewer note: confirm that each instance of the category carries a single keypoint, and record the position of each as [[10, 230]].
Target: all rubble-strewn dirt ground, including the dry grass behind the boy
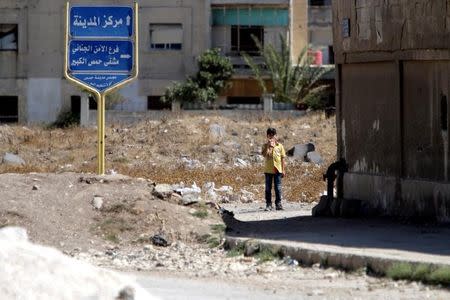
[[53, 195]]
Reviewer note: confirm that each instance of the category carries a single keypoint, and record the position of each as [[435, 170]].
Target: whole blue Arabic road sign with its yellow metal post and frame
[[101, 55]]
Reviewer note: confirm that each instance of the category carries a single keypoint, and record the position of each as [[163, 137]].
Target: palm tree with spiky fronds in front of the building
[[291, 82]]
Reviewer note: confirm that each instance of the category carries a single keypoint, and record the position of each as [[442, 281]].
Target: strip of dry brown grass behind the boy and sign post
[[153, 149]]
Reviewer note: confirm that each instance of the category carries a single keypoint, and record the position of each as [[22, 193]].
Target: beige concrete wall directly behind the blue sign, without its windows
[[34, 72]]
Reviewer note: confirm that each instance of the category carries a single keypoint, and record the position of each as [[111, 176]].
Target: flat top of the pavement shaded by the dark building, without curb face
[[370, 237]]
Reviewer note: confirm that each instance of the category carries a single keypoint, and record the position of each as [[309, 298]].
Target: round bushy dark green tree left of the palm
[[214, 70]]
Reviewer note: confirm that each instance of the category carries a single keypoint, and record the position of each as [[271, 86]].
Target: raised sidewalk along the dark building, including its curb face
[[343, 243]]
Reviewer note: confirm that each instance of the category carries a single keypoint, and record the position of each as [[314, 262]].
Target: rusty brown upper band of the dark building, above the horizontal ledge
[[395, 25]]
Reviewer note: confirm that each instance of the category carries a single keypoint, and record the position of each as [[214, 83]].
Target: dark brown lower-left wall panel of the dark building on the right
[[370, 123]]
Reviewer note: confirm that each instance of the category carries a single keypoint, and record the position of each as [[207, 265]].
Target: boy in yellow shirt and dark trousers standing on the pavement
[[275, 168]]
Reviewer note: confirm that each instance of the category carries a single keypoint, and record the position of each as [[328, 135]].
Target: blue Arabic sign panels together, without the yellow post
[[100, 46]]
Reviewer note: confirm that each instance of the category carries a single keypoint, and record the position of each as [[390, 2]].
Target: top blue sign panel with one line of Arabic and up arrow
[[101, 21]]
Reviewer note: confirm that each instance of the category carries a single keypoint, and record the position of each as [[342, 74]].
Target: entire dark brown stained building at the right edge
[[393, 84]]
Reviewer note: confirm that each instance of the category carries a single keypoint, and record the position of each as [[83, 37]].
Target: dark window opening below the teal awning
[[241, 38]]
